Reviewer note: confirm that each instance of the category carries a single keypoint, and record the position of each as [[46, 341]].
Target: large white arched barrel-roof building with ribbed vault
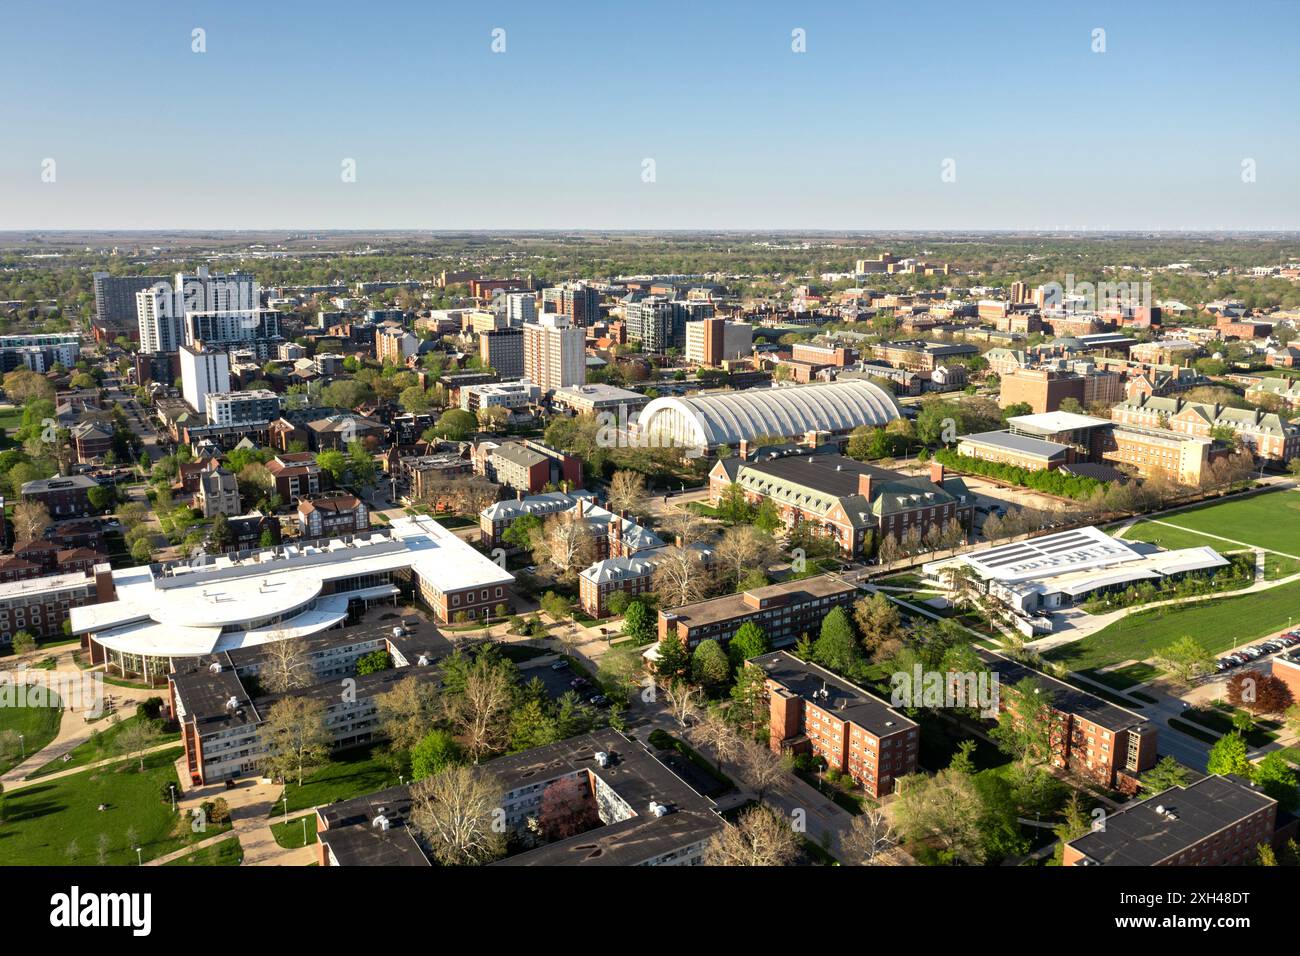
[[704, 422]]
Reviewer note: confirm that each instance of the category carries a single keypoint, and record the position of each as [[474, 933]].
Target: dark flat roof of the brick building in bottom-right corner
[[1141, 837]]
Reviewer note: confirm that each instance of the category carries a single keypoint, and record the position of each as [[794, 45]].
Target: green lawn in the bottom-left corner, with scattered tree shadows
[[58, 823]]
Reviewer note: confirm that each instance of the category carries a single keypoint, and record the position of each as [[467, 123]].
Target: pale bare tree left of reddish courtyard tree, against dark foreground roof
[[458, 812]]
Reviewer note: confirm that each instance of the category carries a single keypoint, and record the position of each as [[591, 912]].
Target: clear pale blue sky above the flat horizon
[[746, 133]]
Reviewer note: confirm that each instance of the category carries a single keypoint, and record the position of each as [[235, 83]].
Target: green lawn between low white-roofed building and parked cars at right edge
[[1219, 625]]
